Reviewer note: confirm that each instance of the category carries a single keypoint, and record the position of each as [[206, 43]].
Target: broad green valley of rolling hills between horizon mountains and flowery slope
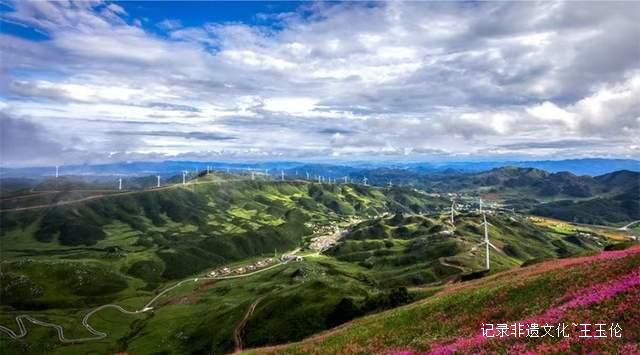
[[226, 262]]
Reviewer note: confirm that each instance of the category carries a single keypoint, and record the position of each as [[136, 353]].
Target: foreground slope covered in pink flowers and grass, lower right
[[602, 289]]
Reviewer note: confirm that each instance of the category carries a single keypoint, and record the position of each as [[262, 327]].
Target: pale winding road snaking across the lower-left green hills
[[22, 332]]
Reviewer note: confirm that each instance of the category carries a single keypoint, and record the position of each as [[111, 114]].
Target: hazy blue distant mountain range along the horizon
[[591, 167]]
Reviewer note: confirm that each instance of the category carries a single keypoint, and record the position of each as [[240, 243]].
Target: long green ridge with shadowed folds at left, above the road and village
[[169, 234]]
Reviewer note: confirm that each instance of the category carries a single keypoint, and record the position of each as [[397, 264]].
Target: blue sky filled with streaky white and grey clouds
[[96, 82]]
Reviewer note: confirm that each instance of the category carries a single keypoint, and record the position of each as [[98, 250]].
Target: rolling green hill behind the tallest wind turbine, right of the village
[[416, 249]]
